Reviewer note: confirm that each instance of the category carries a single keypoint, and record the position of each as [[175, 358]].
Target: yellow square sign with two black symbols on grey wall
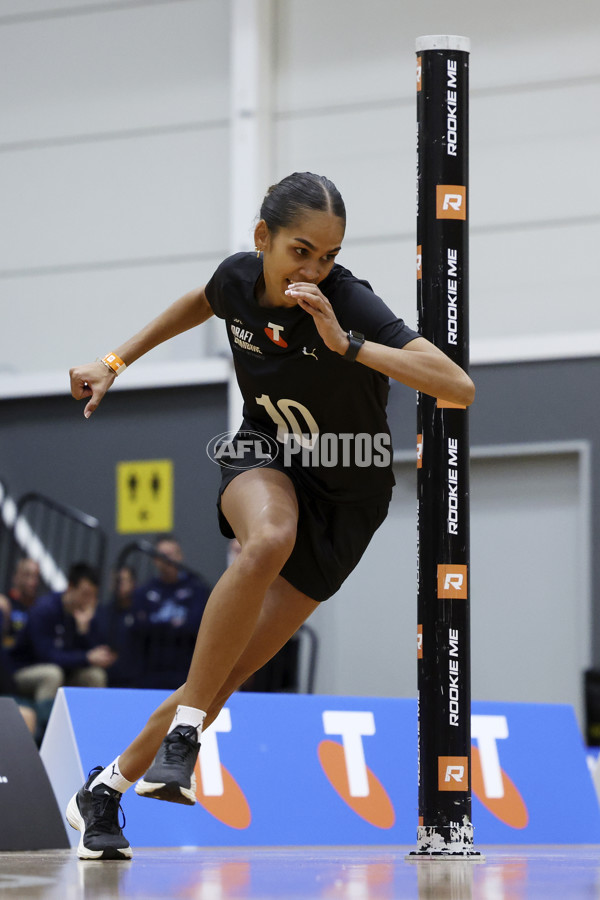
[[145, 496]]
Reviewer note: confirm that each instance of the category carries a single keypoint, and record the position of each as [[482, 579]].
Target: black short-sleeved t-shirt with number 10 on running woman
[[293, 385]]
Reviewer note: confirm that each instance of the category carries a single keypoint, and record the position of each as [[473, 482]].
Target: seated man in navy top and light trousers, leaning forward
[[61, 644]]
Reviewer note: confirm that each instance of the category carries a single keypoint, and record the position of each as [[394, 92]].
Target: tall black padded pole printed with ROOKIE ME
[[445, 828]]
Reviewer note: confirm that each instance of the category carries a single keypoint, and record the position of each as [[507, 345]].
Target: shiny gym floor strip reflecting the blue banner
[[306, 873]]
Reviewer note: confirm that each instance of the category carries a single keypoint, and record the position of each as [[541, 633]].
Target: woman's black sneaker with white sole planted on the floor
[[96, 815]]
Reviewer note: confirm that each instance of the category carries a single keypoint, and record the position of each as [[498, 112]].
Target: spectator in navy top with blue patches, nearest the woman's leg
[[168, 610]]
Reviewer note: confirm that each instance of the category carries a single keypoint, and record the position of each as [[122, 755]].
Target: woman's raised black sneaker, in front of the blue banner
[[171, 775]]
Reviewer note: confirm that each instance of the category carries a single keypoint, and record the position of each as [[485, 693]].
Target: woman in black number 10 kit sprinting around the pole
[[314, 349]]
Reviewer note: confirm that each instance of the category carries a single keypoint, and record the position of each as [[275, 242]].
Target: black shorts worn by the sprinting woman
[[330, 540]]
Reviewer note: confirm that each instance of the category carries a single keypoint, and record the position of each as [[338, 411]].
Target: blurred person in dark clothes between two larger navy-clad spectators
[[116, 620]]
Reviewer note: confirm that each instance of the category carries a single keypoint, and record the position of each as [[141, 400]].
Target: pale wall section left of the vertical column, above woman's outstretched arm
[[114, 171]]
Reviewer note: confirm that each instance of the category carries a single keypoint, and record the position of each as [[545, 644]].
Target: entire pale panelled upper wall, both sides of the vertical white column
[[115, 157]]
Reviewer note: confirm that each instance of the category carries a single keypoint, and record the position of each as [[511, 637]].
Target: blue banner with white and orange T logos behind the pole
[[279, 770]]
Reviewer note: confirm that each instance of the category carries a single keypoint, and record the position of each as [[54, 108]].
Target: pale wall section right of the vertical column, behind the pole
[[345, 106]]
